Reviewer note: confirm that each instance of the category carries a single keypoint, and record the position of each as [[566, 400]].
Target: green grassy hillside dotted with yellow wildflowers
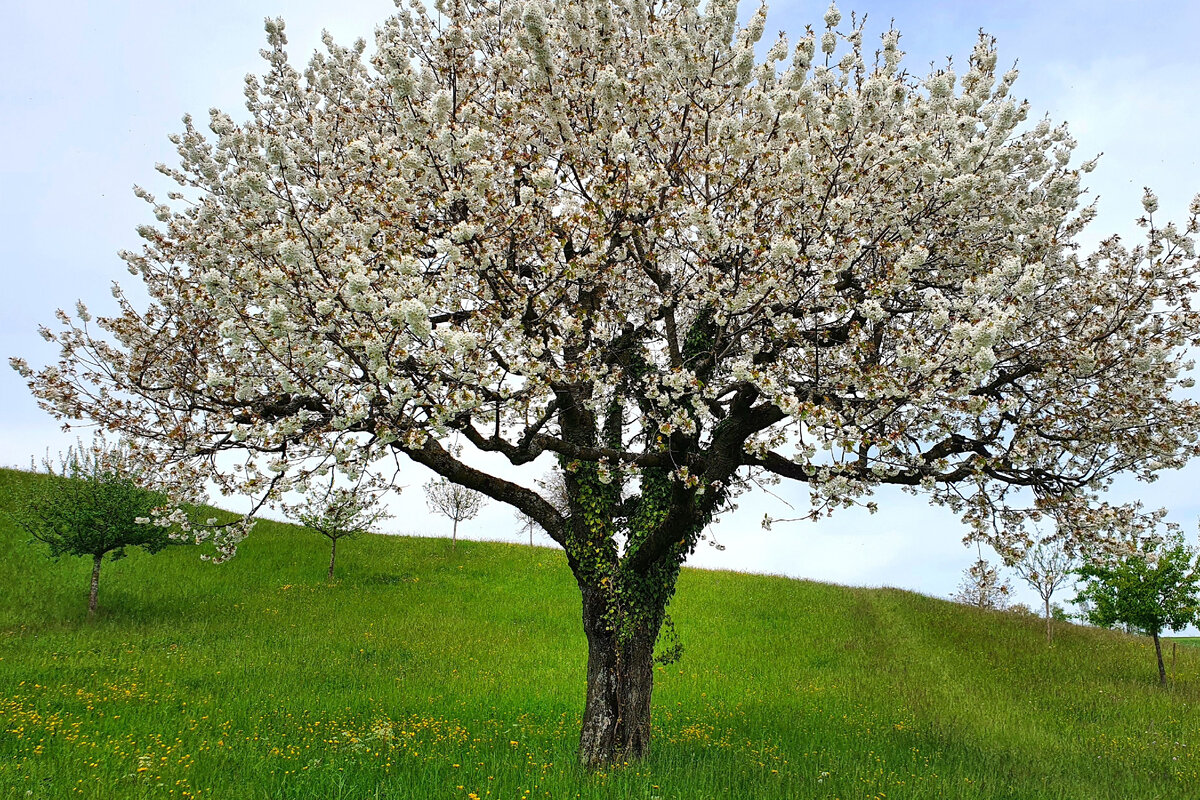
[[424, 673]]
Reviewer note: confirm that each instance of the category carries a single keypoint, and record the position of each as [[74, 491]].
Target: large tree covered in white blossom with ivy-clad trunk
[[605, 231]]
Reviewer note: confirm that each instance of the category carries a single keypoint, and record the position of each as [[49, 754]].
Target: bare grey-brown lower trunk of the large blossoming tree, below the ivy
[[621, 678]]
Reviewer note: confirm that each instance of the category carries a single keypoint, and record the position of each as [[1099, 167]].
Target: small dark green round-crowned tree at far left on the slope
[[93, 503]]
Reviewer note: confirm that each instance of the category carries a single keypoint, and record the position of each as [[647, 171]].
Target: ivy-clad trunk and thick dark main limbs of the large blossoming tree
[[625, 545]]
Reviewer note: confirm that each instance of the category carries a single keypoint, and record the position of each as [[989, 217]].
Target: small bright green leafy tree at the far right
[[1155, 587]]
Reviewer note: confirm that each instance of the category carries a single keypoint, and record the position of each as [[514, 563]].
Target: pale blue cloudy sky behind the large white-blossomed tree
[[92, 92]]
